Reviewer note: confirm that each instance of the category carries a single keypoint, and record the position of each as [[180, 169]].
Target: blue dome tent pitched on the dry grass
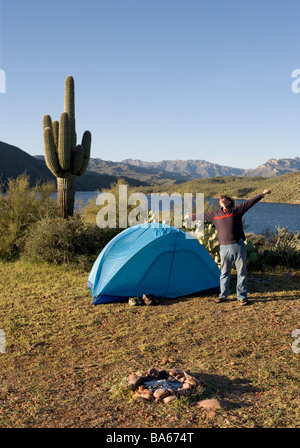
[[152, 259]]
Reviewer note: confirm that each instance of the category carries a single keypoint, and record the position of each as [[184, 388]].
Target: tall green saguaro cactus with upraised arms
[[64, 158]]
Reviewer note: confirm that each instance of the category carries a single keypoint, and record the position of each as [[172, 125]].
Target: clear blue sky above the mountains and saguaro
[[156, 79]]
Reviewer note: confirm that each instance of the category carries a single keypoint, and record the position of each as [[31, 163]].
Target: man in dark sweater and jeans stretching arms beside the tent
[[228, 222]]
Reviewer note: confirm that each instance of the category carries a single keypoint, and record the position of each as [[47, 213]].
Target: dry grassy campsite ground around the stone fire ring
[[66, 360]]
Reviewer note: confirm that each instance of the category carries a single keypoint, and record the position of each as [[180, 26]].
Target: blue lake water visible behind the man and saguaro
[[263, 216]]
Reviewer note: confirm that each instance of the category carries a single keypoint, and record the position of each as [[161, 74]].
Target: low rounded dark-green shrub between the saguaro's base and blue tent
[[59, 241]]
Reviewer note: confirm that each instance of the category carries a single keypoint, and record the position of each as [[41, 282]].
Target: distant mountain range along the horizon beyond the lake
[[102, 173]]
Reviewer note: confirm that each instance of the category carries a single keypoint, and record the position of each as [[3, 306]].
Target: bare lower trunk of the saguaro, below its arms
[[66, 187]]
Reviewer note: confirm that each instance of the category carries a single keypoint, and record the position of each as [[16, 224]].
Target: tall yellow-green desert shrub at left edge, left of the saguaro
[[21, 206]]
